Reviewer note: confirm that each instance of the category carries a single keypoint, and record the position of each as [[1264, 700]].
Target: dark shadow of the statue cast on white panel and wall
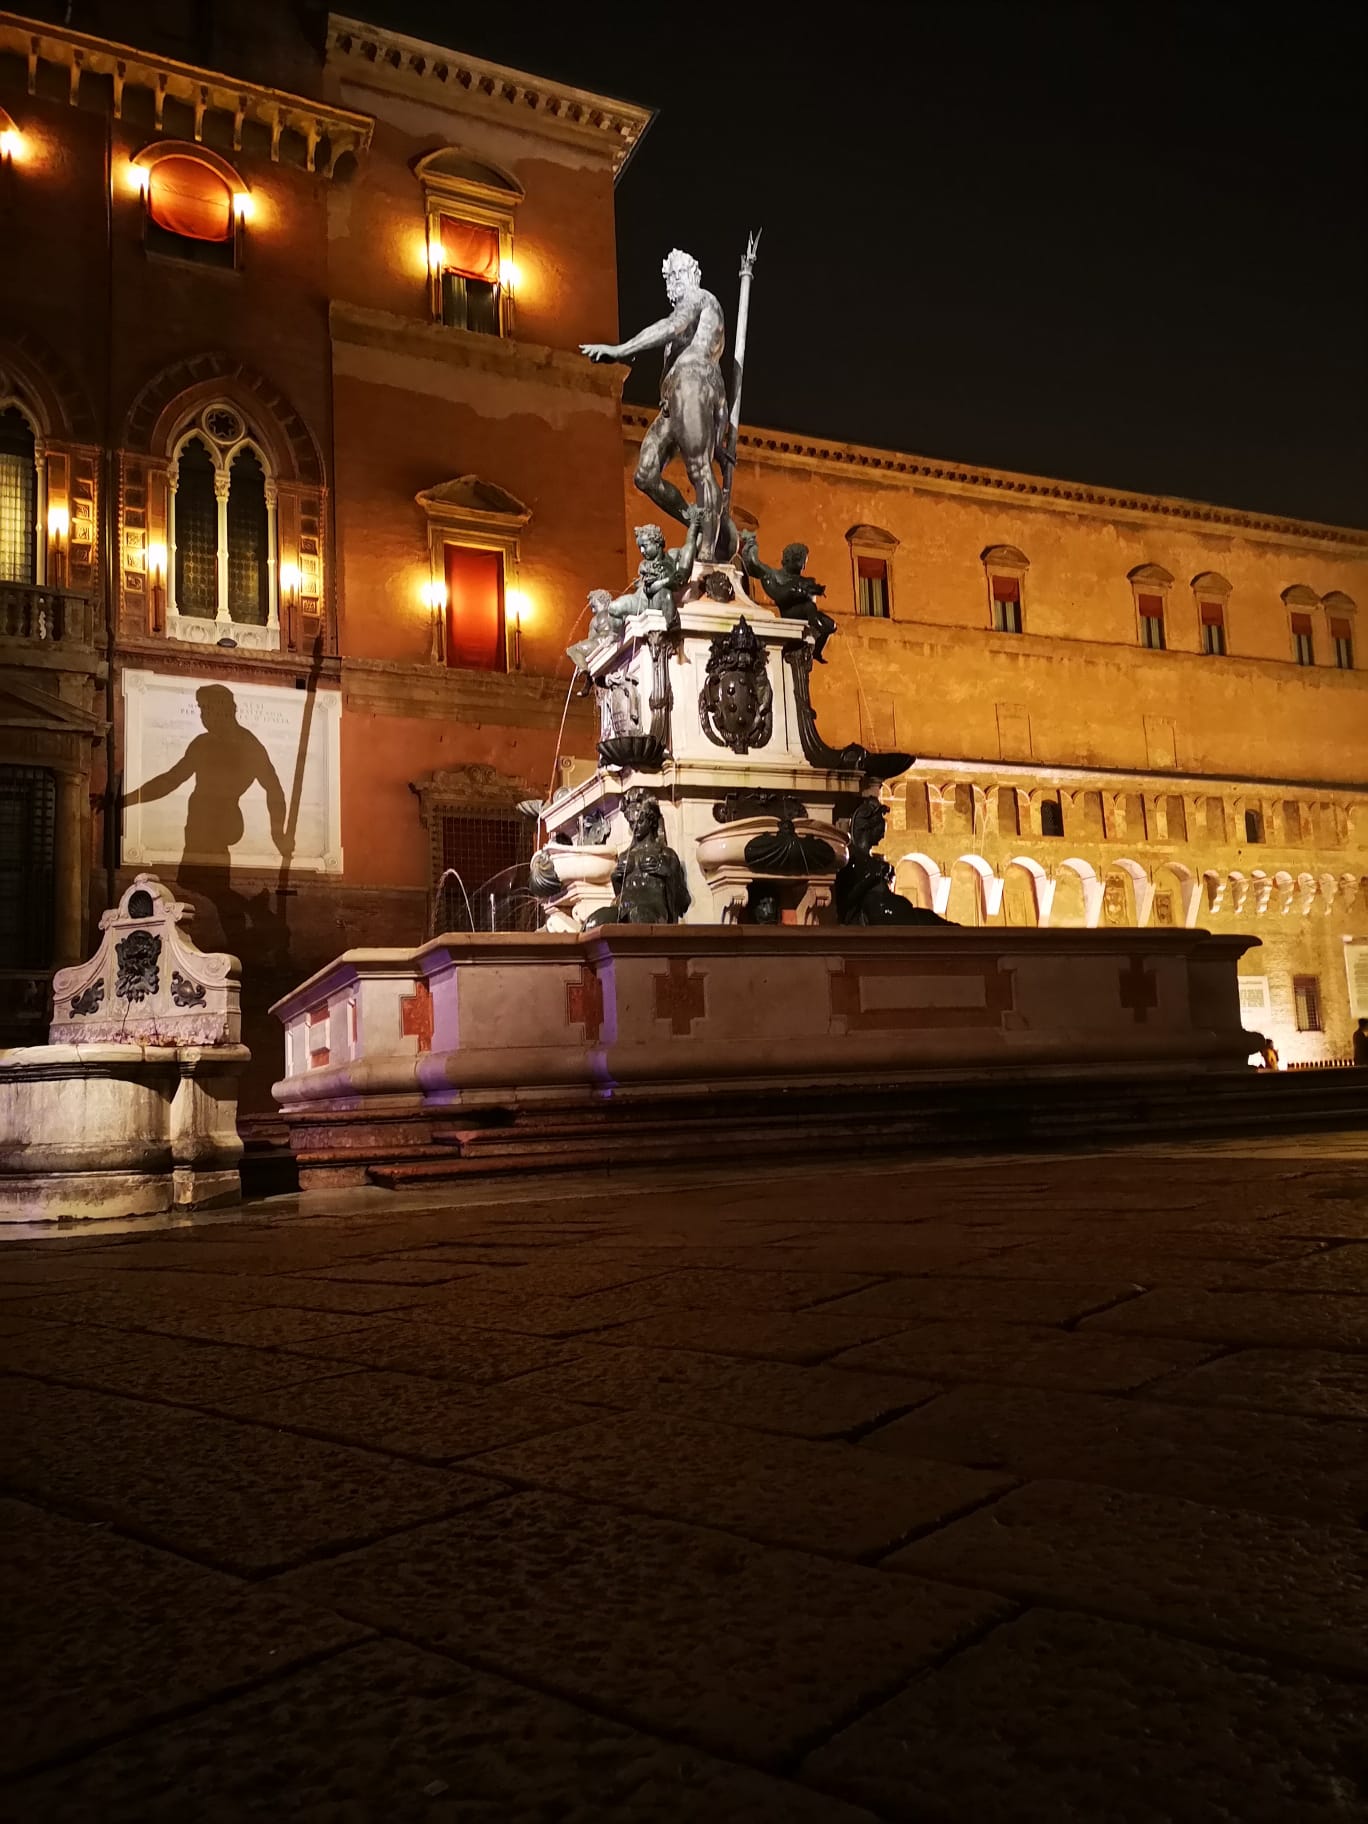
[[225, 762]]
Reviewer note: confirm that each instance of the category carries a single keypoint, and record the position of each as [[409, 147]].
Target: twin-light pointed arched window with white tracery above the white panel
[[222, 535]]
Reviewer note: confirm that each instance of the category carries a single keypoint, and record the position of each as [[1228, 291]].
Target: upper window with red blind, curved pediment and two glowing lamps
[[470, 211]]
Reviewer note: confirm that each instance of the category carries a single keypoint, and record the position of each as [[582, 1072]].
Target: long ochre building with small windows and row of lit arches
[[1128, 709]]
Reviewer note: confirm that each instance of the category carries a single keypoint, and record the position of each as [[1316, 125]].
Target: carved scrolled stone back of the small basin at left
[[149, 982]]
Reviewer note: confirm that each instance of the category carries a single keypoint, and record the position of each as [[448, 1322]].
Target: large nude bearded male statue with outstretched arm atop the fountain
[[694, 413]]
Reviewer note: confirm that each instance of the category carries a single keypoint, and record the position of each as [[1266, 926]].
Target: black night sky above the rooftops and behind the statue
[[1121, 245]]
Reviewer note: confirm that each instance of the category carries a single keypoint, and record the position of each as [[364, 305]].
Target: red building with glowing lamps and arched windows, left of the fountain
[[302, 479]]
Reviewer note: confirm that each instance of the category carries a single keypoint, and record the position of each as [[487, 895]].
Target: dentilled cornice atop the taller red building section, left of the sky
[[408, 67]]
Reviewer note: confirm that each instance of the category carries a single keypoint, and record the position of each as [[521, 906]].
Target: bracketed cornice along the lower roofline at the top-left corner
[[205, 92]]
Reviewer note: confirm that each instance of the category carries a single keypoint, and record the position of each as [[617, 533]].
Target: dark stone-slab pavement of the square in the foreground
[[933, 1491]]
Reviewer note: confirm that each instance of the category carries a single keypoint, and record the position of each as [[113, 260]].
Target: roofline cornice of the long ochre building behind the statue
[[827, 457]]
